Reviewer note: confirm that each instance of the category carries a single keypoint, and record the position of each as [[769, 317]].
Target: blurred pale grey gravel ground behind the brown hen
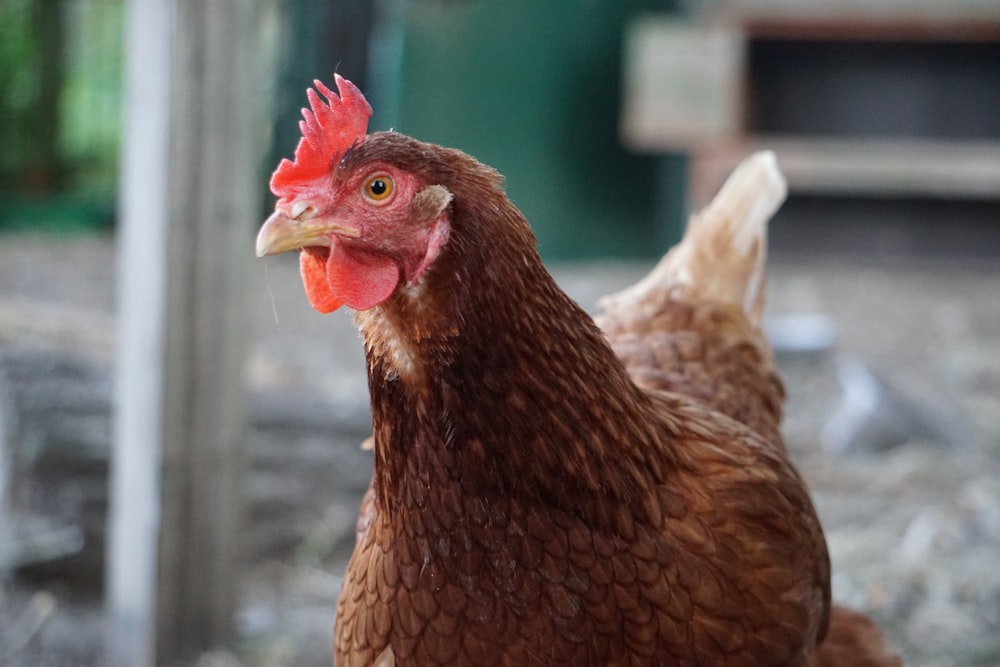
[[895, 425]]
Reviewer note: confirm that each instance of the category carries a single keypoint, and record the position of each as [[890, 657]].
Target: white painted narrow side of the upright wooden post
[[134, 514]]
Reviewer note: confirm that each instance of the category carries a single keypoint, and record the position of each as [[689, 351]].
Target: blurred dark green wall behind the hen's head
[[531, 87]]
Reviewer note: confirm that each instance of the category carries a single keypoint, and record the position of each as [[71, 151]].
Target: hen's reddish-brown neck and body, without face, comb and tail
[[532, 505]]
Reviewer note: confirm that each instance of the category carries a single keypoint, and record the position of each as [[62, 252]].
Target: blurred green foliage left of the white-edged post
[[60, 101]]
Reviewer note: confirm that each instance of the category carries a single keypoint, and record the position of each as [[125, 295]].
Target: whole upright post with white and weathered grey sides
[[190, 189]]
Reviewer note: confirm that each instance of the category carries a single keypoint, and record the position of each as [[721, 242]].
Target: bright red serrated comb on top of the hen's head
[[328, 130]]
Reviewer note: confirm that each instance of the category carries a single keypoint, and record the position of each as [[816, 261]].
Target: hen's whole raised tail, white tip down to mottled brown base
[[692, 326]]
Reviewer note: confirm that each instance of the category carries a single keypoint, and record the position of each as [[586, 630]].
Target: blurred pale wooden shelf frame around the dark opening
[[687, 87]]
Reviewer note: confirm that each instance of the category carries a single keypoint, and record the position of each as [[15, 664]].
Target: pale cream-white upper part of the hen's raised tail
[[722, 255]]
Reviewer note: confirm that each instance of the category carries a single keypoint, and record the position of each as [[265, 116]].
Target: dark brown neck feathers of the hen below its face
[[487, 377]]
